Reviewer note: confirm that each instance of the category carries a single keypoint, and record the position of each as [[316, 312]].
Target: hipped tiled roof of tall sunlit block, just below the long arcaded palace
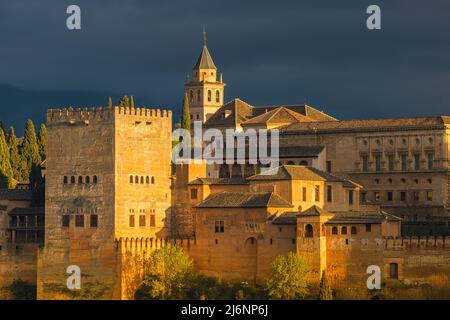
[[294, 172]]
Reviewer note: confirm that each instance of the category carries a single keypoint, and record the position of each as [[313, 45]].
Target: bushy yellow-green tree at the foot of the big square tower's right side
[[168, 274]]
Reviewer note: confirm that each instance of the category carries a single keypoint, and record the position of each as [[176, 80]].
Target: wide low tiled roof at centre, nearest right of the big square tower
[[244, 200]]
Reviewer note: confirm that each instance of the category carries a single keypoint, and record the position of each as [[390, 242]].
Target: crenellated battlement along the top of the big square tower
[[101, 114]]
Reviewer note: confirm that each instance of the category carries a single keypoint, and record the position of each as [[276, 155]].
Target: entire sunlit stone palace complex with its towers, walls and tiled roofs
[[348, 194]]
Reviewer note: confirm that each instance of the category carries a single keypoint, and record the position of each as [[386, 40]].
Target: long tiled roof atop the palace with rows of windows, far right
[[367, 125]]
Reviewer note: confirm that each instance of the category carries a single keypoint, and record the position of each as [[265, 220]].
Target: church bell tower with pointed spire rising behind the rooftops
[[204, 91]]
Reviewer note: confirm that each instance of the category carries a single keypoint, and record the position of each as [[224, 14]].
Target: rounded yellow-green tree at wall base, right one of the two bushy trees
[[287, 278]]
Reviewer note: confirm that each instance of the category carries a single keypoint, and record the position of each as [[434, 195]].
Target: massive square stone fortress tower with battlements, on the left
[[108, 179]]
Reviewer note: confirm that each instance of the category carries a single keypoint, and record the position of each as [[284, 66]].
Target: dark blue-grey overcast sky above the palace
[[270, 52]]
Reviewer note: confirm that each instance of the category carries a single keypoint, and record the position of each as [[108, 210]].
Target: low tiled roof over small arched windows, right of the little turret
[[362, 217]]
